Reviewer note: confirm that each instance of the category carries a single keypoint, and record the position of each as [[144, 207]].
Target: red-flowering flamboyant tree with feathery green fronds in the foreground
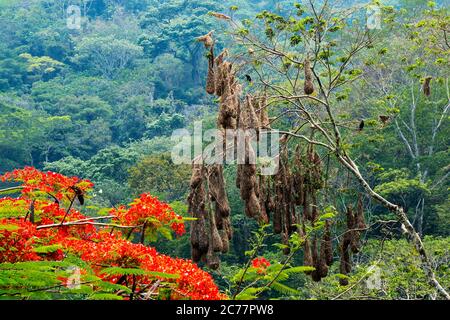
[[42, 234]]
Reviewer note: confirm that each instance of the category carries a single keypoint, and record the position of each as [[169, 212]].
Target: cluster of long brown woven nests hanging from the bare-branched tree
[[289, 199]]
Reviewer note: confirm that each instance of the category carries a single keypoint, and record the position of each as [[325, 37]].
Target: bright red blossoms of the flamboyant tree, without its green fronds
[[99, 247]]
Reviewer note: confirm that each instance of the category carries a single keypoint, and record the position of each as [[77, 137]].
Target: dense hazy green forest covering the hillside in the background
[[101, 102]]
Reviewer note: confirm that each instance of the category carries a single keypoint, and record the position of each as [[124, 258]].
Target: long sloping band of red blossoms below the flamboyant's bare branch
[[106, 249]]
